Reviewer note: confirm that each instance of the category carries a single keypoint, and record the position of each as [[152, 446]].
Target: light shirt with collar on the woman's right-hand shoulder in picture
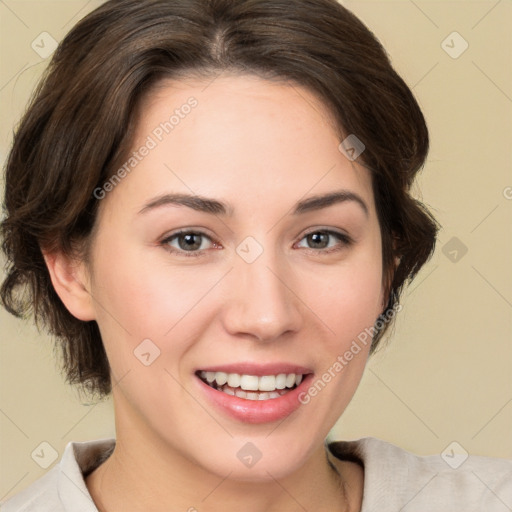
[[395, 479]]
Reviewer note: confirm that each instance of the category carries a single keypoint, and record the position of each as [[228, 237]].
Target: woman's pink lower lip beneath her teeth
[[256, 411]]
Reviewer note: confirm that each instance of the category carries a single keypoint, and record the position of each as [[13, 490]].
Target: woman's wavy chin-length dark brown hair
[[80, 124]]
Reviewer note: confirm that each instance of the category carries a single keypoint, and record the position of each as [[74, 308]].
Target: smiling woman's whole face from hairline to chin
[[269, 283]]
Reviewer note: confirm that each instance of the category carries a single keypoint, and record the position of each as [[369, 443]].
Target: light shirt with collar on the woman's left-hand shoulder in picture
[[63, 488]]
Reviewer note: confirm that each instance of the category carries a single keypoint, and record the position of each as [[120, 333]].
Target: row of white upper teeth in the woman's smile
[[253, 382]]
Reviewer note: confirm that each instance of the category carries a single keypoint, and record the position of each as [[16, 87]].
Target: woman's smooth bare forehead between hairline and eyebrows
[[242, 136]]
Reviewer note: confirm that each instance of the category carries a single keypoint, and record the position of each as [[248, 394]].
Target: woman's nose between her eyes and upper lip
[[261, 302]]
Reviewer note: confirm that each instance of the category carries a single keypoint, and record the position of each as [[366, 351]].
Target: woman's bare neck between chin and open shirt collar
[[145, 473]]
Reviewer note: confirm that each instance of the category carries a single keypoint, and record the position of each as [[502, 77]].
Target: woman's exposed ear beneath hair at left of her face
[[71, 283]]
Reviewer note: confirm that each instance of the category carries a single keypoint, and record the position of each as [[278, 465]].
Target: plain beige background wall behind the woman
[[447, 373]]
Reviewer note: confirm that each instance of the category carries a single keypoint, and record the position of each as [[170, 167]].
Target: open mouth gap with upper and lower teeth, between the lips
[[251, 387]]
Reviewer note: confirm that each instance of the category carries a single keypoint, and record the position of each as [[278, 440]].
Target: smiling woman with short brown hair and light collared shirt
[[208, 201]]
